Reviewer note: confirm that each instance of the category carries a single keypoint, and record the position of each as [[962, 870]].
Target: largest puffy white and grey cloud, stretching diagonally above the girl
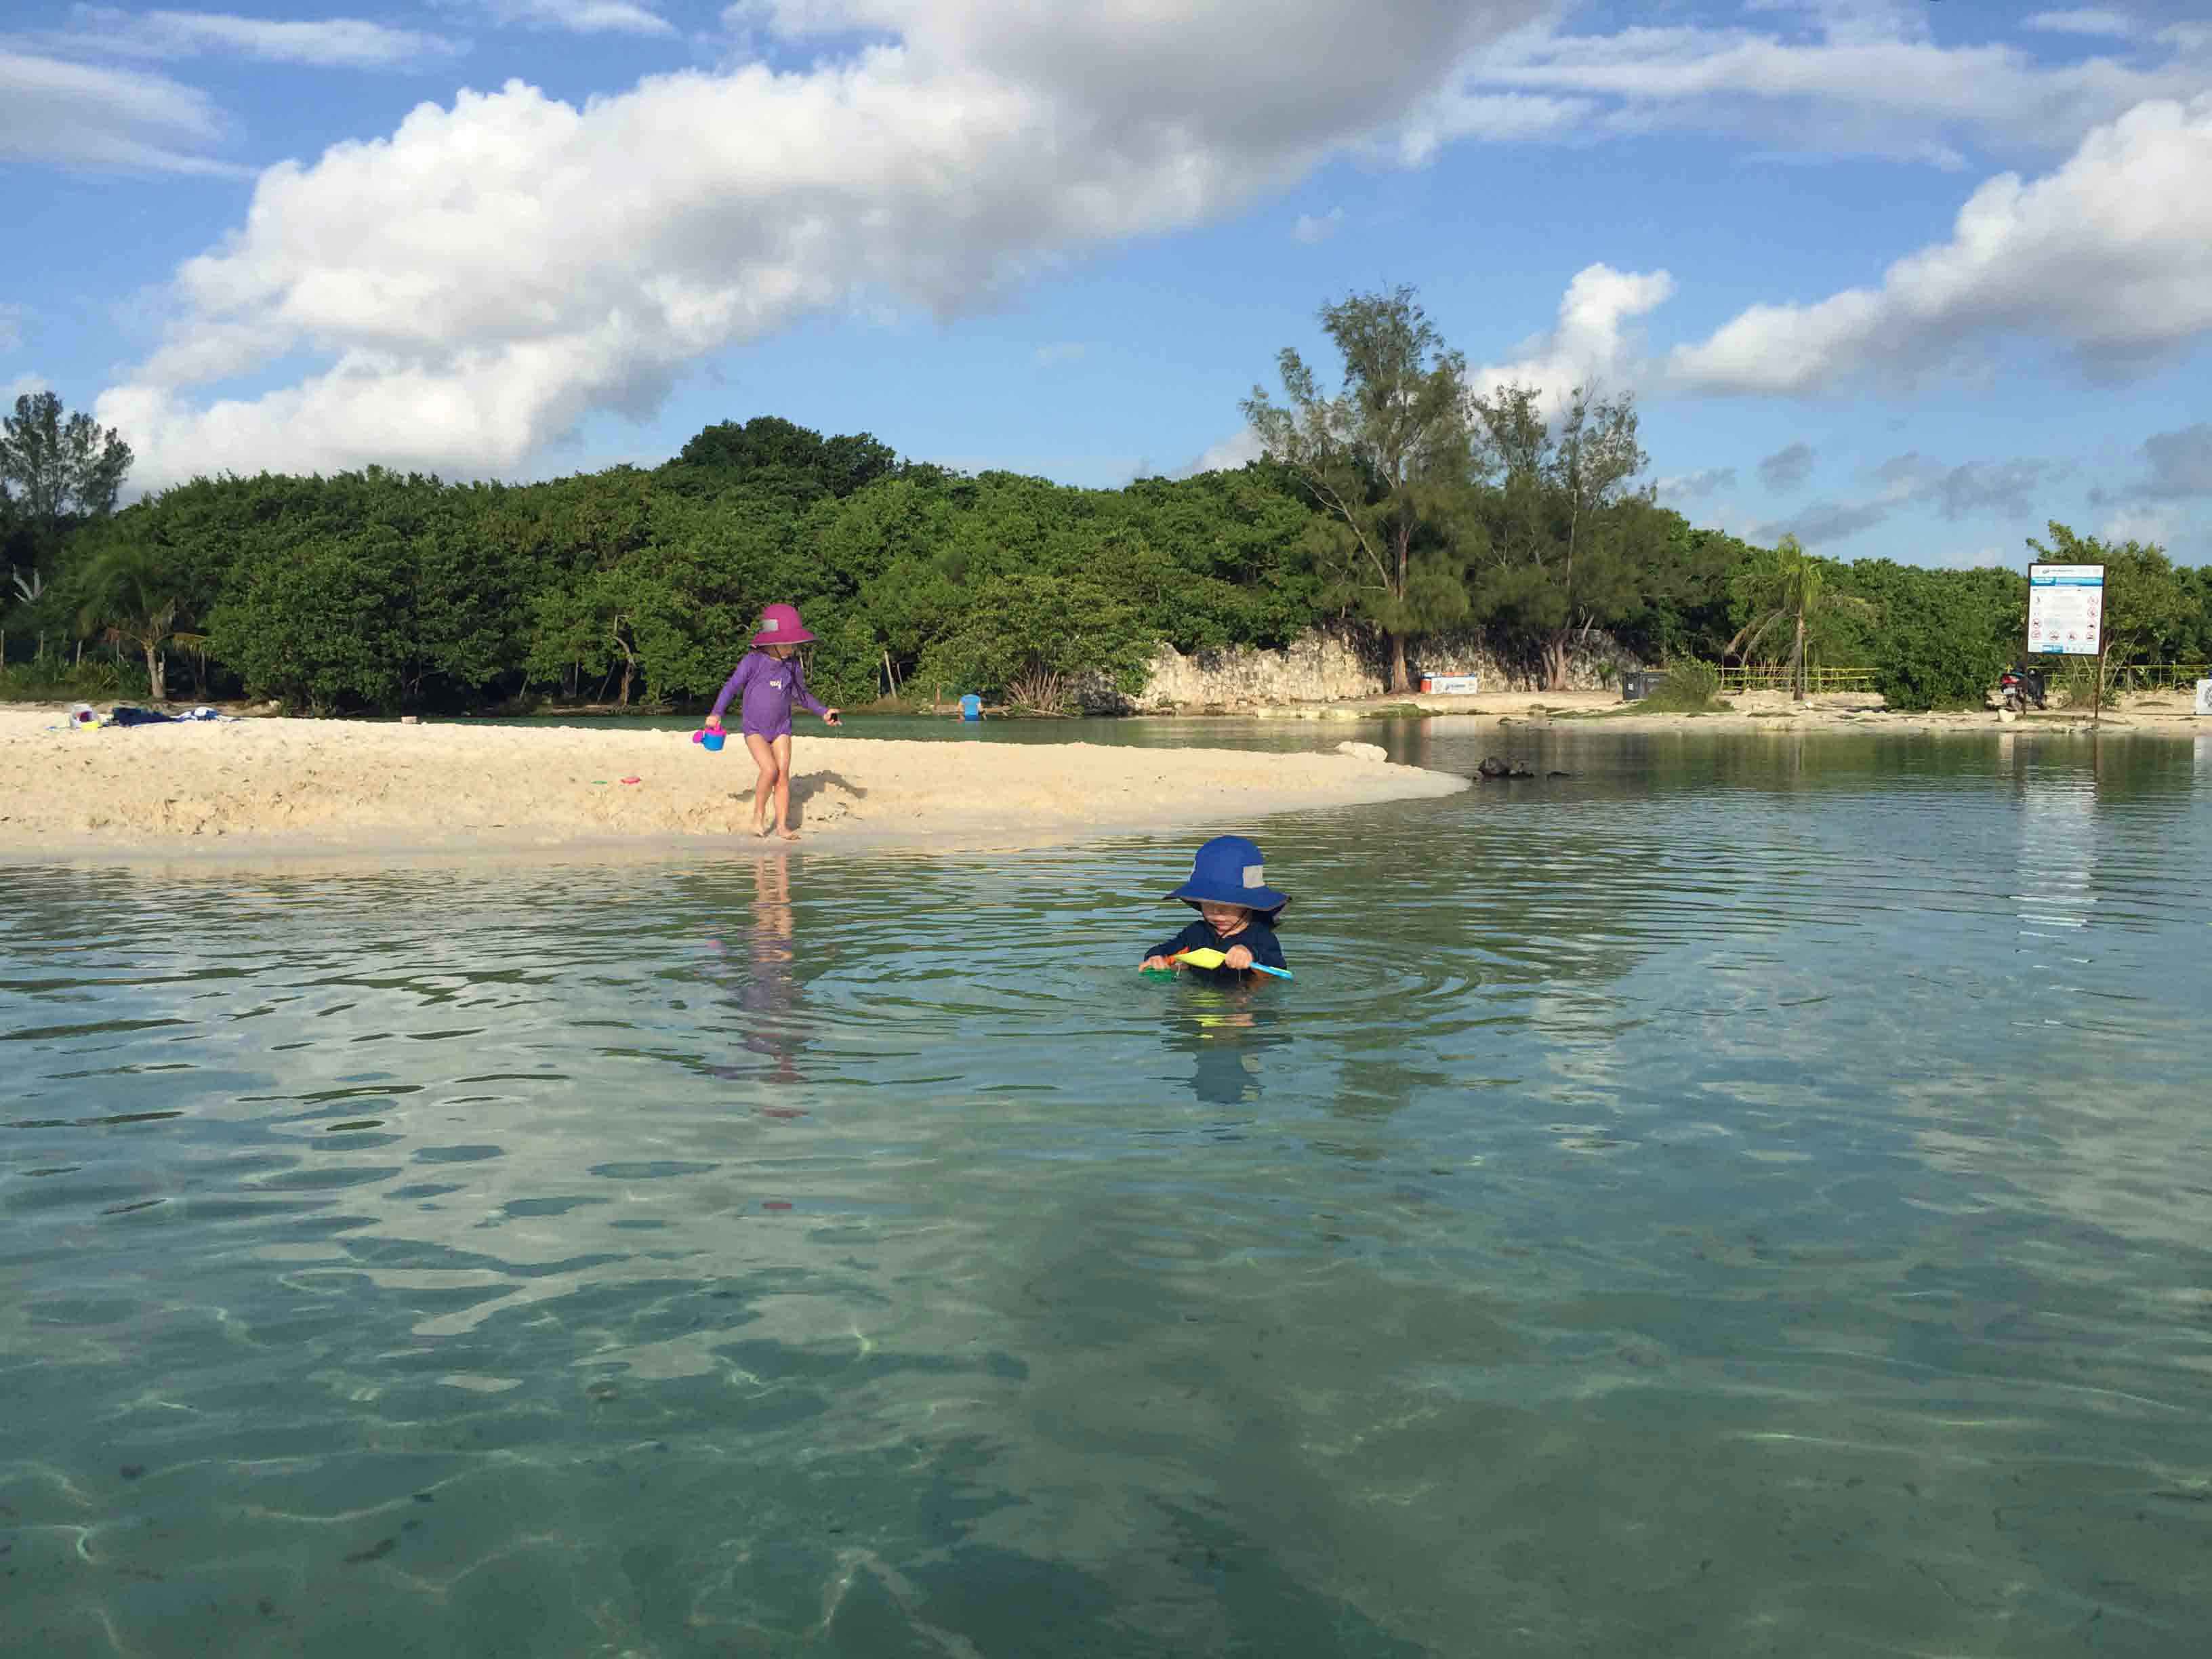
[[497, 271]]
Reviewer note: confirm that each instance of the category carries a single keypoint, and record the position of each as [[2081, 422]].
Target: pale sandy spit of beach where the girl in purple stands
[[295, 786]]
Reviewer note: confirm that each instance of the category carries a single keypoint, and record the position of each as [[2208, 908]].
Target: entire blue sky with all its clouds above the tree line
[[1906, 278]]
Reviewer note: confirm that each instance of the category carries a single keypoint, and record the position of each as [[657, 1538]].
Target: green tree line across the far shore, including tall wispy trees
[[1408, 508]]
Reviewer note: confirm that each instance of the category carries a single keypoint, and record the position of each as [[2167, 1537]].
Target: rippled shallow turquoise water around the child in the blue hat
[[1746, 1198]]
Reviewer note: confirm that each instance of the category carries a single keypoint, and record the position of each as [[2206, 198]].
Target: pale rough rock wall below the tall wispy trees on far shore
[[1333, 667]]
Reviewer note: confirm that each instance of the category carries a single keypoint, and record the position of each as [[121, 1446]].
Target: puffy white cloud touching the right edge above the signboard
[[2111, 255]]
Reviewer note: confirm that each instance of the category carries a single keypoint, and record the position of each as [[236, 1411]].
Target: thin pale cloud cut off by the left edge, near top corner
[[116, 118]]
